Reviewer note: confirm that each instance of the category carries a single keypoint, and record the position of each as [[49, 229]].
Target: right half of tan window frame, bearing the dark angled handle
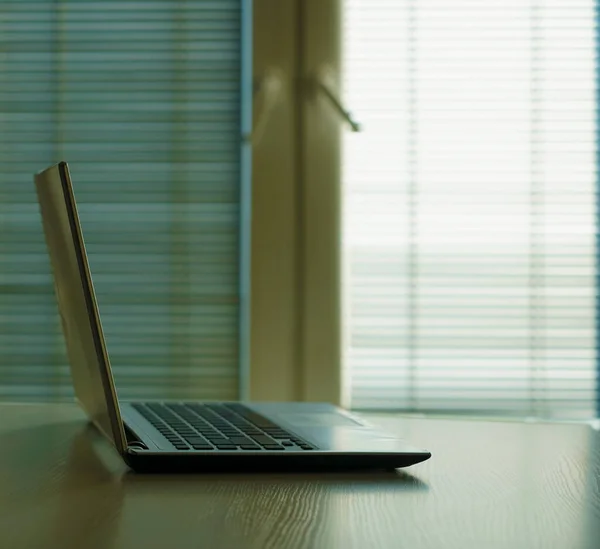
[[319, 201]]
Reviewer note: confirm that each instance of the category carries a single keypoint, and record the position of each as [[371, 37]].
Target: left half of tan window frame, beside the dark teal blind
[[274, 270]]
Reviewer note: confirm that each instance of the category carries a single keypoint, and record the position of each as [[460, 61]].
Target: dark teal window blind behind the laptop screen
[[143, 99]]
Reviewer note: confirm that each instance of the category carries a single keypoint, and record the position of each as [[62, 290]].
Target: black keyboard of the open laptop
[[218, 427]]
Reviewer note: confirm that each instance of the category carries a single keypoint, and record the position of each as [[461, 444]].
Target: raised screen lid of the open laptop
[[88, 358]]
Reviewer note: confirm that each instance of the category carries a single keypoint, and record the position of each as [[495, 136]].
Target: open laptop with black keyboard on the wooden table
[[170, 436]]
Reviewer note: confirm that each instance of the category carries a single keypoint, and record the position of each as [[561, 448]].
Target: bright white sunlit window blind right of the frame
[[469, 206]]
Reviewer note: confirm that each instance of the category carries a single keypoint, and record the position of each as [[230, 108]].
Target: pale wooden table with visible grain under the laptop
[[488, 485]]
